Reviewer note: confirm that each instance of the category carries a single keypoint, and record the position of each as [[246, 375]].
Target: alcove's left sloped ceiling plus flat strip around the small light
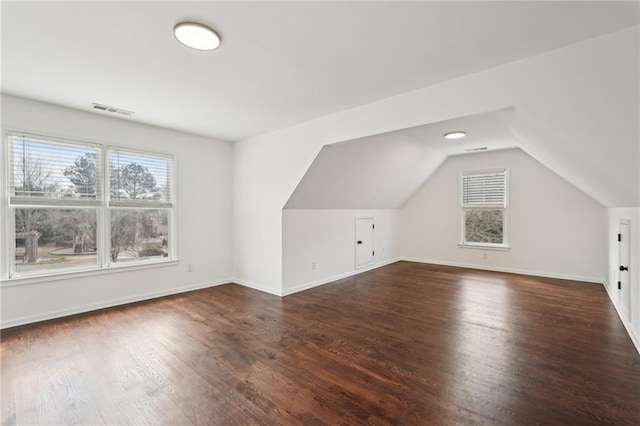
[[385, 170]]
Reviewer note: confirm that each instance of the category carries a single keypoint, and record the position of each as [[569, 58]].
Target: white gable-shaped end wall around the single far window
[[554, 228]]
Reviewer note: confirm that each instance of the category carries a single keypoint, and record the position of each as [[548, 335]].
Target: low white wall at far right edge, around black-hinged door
[[614, 216]]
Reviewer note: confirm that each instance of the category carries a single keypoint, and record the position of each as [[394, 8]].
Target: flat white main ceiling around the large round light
[[280, 63]]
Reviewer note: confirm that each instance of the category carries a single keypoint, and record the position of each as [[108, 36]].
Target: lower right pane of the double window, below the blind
[[137, 234]]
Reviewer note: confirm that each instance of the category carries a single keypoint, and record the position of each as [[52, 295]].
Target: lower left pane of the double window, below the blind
[[54, 239]]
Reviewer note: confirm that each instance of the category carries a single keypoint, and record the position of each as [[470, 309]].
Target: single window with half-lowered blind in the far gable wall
[[483, 202]]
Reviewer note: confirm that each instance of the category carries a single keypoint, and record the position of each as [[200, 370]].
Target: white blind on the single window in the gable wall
[[486, 189]]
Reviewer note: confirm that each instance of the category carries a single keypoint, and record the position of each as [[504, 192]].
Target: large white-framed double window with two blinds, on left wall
[[77, 205]]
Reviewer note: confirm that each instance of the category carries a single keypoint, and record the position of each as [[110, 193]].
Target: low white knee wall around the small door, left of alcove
[[327, 238]]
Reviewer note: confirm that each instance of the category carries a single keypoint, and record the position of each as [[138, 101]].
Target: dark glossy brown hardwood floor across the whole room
[[404, 344]]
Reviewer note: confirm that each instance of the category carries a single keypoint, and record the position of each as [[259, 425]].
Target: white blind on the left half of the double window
[[47, 171]]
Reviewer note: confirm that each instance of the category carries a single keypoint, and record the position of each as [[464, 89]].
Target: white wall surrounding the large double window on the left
[[203, 214]]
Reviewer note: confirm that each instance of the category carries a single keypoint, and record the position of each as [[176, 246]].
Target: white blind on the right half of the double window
[[139, 179]]
